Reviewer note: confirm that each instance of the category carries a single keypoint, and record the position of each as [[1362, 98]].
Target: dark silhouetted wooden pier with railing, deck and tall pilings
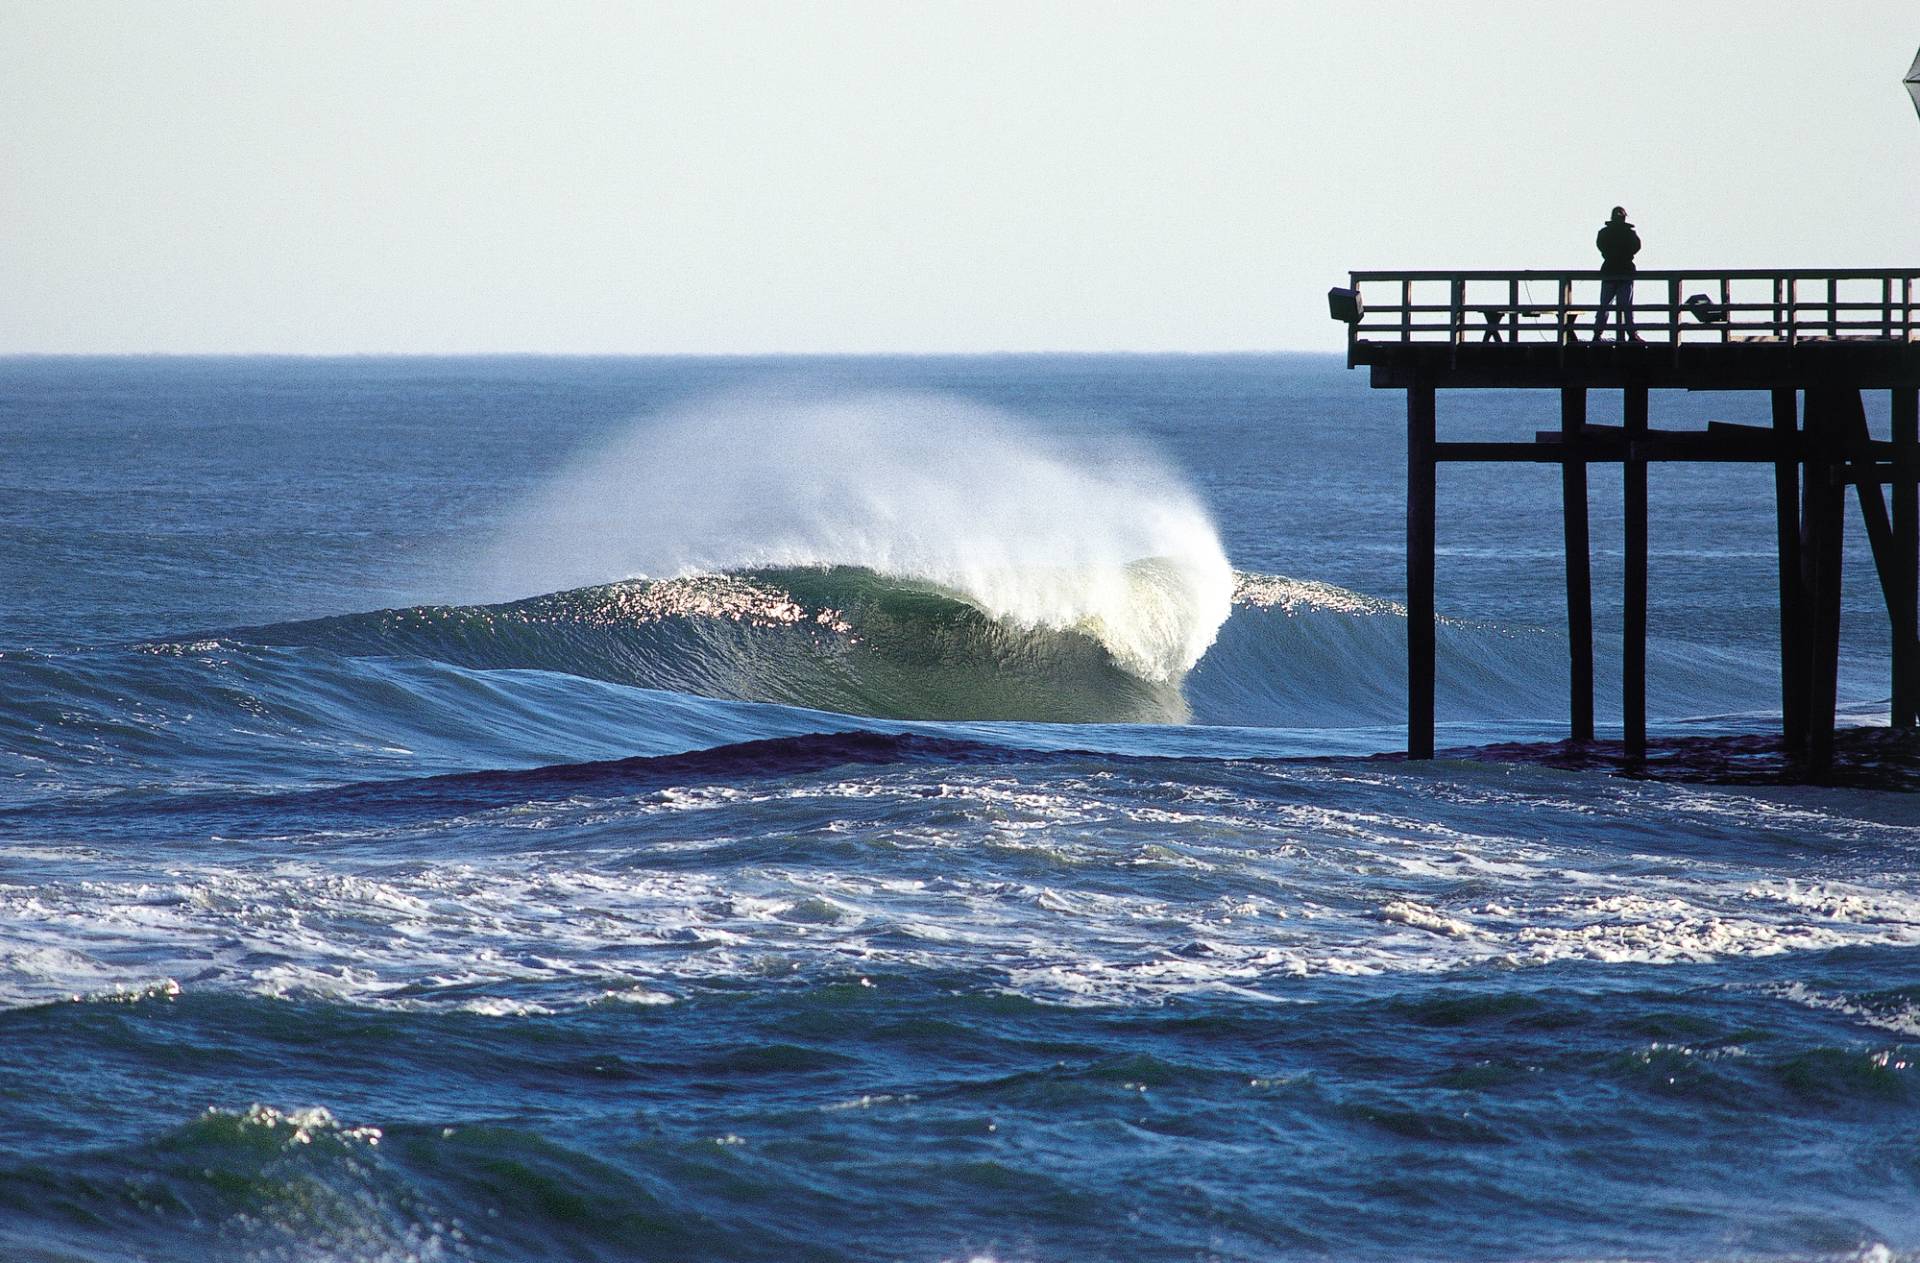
[[1815, 341]]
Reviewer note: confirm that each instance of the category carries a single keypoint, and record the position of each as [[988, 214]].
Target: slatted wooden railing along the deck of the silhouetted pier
[[1689, 306]]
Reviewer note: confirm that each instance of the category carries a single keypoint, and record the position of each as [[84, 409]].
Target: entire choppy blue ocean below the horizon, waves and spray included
[[900, 809]]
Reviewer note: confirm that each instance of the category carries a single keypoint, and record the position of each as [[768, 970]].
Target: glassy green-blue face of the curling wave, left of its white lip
[[838, 638]]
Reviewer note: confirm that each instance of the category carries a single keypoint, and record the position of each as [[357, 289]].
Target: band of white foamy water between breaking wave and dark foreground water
[[1237, 880]]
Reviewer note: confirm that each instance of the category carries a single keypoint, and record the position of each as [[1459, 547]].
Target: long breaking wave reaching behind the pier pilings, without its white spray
[[1293, 654]]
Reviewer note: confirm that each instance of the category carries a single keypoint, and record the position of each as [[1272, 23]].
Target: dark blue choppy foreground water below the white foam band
[[740, 1149]]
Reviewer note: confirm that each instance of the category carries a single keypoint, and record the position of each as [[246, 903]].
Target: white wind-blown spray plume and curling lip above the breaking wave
[[1034, 531]]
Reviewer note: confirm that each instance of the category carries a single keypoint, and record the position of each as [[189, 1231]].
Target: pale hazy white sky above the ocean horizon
[[842, 176]]
